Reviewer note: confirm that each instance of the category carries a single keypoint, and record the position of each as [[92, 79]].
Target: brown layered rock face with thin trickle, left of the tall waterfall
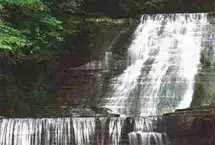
[[84, 82]]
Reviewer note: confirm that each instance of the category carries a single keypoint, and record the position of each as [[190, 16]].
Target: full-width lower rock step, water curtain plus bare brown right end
[[194, 126]]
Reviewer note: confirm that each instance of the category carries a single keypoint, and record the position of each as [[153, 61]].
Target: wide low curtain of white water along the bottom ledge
[[76, 131]]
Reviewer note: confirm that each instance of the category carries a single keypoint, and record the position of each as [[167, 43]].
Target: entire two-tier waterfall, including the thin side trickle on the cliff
[[161, 63]]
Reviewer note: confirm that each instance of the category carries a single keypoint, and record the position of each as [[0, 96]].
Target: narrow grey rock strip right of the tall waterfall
[[204, 80]]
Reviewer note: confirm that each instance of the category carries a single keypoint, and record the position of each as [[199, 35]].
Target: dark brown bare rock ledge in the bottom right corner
[[193, 126]]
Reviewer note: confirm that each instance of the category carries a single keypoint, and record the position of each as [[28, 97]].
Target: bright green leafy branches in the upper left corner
[[35, 28]]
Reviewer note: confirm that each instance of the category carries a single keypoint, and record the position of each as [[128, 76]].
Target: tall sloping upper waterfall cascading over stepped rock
[[162, 61]]
